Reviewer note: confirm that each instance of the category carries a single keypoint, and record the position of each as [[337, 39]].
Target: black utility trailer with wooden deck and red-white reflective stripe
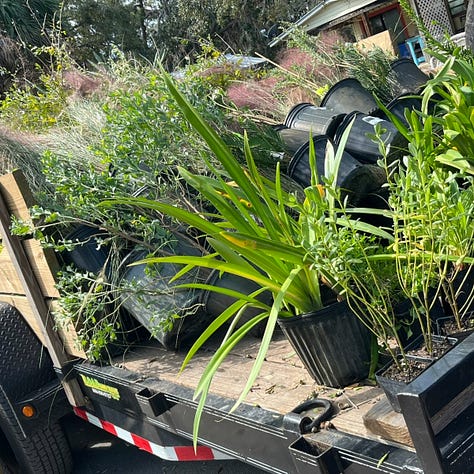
[[288, 424]]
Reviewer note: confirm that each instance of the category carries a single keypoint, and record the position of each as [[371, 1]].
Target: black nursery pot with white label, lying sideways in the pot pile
[[359, 142]]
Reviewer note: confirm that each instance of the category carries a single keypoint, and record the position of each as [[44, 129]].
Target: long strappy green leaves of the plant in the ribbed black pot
[[256, 233]]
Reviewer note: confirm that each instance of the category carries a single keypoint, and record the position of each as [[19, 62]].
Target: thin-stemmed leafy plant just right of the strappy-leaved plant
[[362, 265]]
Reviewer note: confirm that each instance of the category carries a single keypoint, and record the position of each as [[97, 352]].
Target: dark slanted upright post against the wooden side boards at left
[[37, 302]]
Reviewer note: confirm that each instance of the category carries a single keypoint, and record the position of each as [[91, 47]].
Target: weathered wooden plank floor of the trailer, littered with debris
[[282, 385]]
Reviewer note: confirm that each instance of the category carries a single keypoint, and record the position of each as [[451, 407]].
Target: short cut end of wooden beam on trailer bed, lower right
[[382, 421]]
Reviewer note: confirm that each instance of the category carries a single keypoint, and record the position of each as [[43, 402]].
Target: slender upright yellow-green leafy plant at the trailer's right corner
[[431, 207]]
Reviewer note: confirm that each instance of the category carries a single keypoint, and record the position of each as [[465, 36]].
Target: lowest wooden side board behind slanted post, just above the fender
[[67, 334]]
